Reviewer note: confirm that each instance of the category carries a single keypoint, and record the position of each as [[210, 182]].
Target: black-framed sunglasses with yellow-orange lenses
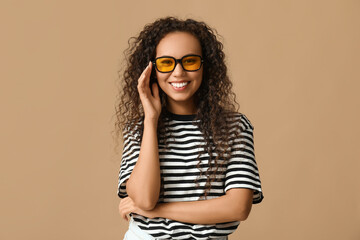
[[189, 63]]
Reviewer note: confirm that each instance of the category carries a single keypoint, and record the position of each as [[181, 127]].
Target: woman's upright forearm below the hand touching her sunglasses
[[143, 185]]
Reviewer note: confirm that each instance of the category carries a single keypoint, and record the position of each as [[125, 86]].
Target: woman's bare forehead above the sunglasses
[[178, 44]]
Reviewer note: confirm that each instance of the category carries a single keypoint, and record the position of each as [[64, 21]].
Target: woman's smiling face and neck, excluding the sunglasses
[[177, 45]]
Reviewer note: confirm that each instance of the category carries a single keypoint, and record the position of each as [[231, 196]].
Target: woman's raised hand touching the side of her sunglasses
[[151, 104]]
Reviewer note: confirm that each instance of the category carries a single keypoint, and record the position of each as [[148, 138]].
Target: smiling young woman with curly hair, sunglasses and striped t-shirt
[[188, 168]]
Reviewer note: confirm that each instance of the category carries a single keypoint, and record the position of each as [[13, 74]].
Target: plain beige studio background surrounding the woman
[[295, 67]]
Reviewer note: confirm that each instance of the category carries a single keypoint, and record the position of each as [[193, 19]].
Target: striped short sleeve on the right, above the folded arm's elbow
[[242, 170]]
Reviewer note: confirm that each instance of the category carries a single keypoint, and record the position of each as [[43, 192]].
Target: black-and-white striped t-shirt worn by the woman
[[178, 167]]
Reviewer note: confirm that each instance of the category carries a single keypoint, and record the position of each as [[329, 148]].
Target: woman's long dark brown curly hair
[[213, 99]]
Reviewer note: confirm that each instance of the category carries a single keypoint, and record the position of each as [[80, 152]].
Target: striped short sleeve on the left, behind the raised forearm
[[129, 158]]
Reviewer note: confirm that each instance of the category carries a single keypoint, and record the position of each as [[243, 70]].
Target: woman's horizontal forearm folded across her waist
[[217, 210]]
